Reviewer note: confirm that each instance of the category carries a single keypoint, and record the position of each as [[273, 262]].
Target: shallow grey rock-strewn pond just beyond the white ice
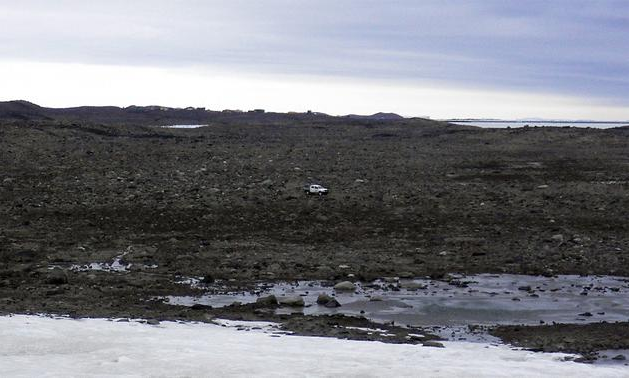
[[483, 299]]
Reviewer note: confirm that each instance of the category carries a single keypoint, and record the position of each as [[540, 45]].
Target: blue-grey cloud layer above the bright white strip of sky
[[562, 47]]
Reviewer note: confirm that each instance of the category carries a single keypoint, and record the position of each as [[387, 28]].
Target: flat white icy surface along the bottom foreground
[[38, 346]]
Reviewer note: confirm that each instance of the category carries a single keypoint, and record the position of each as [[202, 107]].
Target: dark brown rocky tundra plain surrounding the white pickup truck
[[407, 198]]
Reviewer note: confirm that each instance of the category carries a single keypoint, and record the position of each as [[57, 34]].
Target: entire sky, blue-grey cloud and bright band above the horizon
[[555, 59]]
